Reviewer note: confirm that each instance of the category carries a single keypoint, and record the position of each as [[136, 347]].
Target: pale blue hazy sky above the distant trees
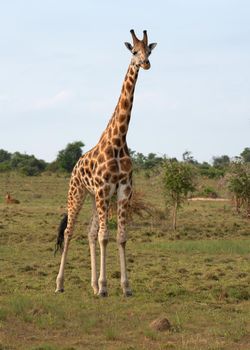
[[62, 64]]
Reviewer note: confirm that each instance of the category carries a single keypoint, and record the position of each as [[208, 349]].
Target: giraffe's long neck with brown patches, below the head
[[118, 125]]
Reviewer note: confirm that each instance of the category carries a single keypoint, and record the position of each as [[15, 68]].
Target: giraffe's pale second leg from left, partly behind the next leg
[[93, 233]]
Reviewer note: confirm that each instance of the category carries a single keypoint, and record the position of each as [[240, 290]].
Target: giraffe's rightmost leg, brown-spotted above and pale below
[[124, 193]]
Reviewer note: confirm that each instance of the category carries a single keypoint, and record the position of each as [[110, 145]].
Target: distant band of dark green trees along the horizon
[[67, 158]]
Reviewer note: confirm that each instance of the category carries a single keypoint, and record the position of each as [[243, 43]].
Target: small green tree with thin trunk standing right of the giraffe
[[178, 181]]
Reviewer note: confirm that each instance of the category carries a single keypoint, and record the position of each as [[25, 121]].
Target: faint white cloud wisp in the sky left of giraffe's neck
[[54, 101]]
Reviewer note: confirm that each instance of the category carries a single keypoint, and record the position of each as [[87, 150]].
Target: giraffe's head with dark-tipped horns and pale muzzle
[[140, 50]]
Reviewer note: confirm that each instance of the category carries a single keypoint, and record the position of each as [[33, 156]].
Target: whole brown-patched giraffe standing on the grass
[[103, 171]]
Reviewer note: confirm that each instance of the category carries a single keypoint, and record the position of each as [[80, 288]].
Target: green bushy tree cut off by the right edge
[[238, 180]]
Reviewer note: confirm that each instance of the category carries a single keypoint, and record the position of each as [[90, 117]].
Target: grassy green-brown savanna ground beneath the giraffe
[[198, 277]]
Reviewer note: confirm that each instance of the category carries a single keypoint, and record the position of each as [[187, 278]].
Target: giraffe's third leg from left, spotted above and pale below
[[102, 210]]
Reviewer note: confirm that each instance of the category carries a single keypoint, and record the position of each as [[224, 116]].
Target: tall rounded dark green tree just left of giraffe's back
[[68, 157]]
